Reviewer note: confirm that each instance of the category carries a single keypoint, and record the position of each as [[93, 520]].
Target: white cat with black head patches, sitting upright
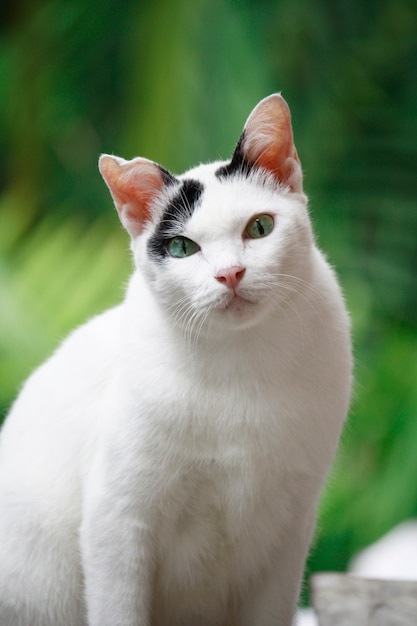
[[163, 466]]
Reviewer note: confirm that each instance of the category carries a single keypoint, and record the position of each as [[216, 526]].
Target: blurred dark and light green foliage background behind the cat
[[175, 81]]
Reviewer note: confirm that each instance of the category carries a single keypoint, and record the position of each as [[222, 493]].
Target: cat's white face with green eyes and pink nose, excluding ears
[[225, 251]]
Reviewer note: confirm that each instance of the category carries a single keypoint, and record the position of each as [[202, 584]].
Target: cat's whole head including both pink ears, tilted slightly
[[227, 243]]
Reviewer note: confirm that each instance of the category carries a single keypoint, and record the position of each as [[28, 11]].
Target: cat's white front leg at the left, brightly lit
[[117, 558]]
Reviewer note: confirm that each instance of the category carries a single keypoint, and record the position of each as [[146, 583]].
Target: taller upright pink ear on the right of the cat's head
[[267, 141]]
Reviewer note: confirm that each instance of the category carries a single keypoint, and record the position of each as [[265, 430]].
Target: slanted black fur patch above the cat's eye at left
[[179, 210]]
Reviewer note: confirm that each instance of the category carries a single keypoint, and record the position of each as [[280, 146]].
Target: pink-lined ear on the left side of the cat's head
[[133, 186]]
